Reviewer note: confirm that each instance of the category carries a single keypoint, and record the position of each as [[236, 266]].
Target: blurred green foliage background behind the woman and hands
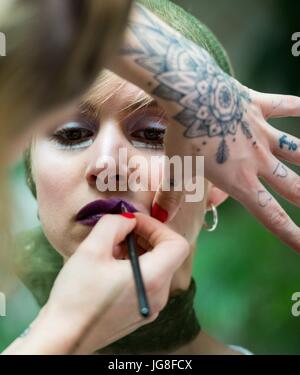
[[245, 276]]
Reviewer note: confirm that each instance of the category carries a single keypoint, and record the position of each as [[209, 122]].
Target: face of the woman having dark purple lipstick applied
[[67, 162]]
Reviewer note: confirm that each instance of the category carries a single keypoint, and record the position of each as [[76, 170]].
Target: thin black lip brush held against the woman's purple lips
[[140, 288]]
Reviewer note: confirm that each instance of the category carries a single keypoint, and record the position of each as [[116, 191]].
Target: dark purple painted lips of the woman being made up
[[92, 212]]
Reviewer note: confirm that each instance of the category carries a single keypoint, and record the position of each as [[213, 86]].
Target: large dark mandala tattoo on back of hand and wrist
[[212, 104]]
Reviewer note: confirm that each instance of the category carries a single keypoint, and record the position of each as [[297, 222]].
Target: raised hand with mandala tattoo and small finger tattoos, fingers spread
[[214, 115]]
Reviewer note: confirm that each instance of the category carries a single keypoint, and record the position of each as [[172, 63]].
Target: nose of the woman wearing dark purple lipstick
[[107, 164]]
